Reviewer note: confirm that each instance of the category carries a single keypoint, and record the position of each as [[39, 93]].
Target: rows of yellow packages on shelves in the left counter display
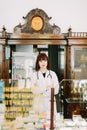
[[18, 102]]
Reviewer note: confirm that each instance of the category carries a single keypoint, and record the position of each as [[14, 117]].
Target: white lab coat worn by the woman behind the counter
[[42, 103]]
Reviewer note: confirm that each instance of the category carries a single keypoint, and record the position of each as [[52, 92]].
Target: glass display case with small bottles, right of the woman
[[73, 97]]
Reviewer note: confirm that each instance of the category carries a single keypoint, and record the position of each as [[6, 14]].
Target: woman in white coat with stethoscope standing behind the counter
[[43, 80]]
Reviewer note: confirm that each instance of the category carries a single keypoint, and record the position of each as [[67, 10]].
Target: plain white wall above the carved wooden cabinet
[[64, 13]]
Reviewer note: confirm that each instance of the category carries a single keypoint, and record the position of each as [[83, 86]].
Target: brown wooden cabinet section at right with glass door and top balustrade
[[77, 55]]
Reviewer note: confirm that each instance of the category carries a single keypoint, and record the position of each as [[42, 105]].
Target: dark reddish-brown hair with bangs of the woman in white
[[42, 56]]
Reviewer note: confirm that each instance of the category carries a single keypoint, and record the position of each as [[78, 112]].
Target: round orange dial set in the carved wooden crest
[[37, 23]]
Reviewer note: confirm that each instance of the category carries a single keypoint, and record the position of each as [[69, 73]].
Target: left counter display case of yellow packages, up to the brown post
[[19, 107]]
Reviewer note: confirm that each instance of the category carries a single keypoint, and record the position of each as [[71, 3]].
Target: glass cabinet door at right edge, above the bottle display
[[79, 62]]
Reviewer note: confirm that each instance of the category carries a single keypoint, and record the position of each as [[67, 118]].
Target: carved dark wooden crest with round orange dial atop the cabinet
[[37, 21]]
